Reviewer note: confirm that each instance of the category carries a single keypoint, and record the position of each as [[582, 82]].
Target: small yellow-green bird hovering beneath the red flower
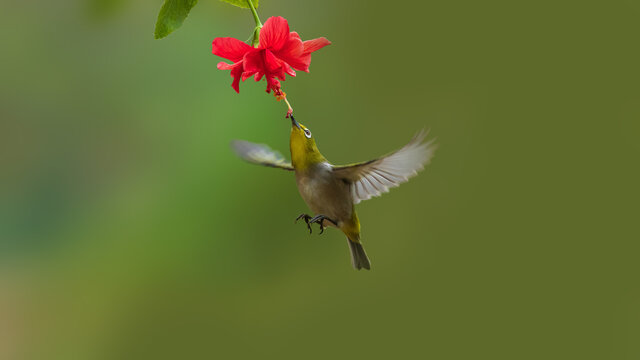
[[332, 191]]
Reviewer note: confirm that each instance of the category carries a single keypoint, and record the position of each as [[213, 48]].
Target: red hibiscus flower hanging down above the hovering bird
[[279, 52]]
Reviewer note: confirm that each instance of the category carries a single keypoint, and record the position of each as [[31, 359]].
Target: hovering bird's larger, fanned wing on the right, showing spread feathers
[[375, 177]]
